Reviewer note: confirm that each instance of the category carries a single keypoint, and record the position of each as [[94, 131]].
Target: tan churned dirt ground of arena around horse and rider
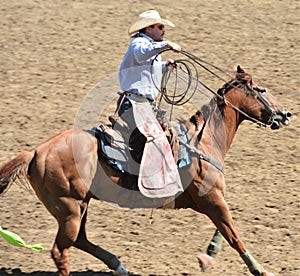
[[53, 53]]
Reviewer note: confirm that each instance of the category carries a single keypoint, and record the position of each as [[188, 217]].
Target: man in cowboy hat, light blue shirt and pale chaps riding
[[139, 76]]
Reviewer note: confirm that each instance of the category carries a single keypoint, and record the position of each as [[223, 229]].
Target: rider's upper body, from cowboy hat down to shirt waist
[[147, 41]]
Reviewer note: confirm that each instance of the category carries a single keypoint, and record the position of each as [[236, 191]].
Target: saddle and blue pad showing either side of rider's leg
[[113, 147]]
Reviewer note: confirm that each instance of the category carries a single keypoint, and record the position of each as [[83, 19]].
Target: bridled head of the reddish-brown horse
[[255, 103]]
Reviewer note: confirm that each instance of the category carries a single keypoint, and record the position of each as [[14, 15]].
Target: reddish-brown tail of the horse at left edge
[[16, 170]]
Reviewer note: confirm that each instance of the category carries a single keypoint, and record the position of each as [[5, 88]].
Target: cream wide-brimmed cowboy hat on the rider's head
[[148, 18]]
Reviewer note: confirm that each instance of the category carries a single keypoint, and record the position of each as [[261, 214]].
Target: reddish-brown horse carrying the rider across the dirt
[[65, 173]]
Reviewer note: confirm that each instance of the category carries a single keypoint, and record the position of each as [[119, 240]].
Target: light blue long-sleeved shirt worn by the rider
[[135, 70]]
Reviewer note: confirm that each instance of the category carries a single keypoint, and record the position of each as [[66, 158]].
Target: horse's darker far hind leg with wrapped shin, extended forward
[[109, 259]]
